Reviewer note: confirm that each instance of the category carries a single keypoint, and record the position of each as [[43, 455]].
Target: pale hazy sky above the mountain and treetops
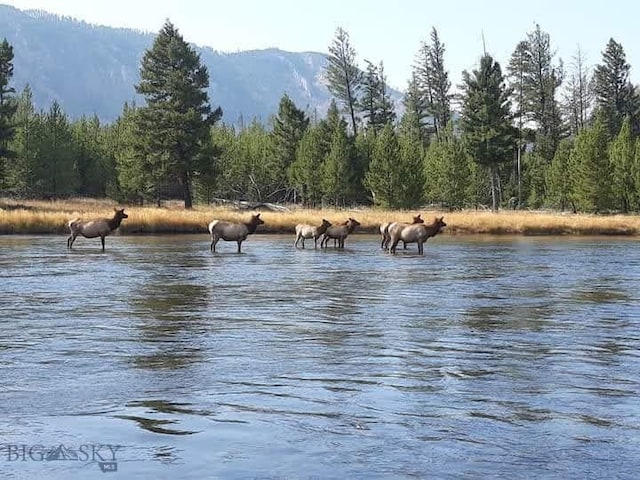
[[380, 31]]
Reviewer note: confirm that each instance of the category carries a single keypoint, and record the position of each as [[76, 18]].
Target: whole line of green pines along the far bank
[[536, 134]]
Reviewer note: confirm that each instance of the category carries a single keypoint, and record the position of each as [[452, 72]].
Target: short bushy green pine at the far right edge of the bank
[[621, 158]]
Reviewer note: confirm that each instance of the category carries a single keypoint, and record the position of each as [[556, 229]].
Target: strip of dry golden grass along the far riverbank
[[51, 217]]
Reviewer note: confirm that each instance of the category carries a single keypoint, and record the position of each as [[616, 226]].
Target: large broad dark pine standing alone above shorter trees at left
[[176, 120]]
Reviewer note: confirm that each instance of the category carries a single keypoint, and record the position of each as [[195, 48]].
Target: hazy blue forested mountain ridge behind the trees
[[93, 69]]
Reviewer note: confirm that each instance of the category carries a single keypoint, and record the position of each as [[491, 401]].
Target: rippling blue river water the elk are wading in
[[484, 358]]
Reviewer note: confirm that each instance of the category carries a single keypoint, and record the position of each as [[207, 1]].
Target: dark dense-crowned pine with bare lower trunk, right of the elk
[[486, 120]]
